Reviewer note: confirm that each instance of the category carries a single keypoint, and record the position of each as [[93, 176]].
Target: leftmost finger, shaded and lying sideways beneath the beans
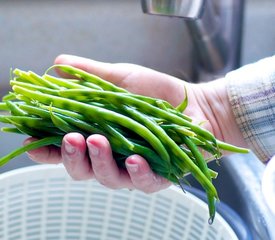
[[49, 154]]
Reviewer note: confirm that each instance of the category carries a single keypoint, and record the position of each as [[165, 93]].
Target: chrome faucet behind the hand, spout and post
[[215, 28]]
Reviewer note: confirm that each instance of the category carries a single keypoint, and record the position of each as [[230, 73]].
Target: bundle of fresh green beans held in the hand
[[47, 107]]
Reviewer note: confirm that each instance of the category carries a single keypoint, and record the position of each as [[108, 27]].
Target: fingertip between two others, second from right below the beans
[[104, 166]]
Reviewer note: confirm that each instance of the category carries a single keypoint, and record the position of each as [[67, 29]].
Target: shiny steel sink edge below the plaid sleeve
[[245, 173]]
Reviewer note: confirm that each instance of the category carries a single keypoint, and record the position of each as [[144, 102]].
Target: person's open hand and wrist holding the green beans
[[92, 158]]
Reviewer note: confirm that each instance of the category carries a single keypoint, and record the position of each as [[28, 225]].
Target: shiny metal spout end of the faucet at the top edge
[[189, 9]]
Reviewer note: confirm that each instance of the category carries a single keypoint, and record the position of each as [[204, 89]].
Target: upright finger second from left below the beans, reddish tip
[[74, 157]]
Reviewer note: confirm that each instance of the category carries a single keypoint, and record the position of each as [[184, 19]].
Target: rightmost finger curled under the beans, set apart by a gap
[[142, 176]]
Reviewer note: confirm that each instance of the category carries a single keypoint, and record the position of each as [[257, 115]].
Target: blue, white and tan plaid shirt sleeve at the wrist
[[251, 91]]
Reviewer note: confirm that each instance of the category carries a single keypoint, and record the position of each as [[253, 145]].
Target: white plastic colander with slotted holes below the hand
[[42, 202]]
